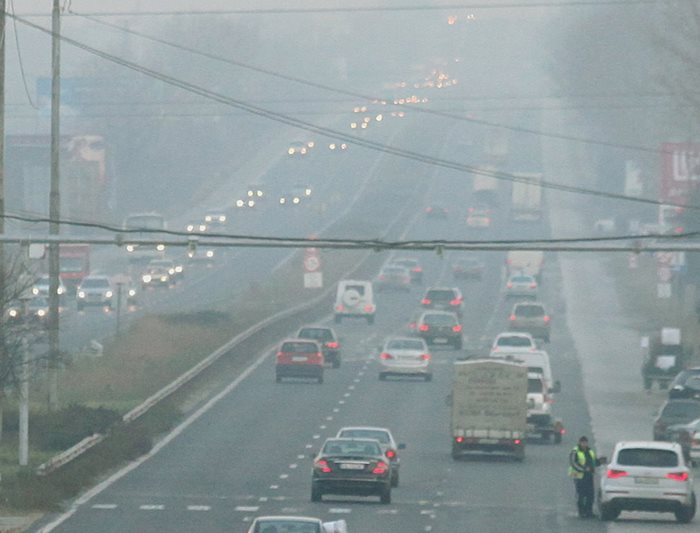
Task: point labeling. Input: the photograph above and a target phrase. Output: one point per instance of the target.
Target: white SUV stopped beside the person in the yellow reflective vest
(647, 476)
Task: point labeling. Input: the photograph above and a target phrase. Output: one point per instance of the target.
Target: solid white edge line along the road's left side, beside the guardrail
(97, 489)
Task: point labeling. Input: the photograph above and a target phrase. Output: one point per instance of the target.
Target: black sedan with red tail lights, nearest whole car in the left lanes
(351, 466)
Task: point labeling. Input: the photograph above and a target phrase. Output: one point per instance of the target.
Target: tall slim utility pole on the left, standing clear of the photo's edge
(54, 206)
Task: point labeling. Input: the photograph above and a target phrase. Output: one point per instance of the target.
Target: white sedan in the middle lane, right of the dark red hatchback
(405, 356)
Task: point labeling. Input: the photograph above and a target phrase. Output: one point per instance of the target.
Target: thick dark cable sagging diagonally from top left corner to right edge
(338, 135)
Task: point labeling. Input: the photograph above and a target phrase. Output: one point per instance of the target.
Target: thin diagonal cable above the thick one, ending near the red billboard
(366, 97)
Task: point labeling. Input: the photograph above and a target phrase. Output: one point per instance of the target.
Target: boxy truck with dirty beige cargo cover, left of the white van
(489, 408)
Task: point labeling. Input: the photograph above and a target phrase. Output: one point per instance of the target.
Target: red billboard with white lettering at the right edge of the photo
(680, 172)
